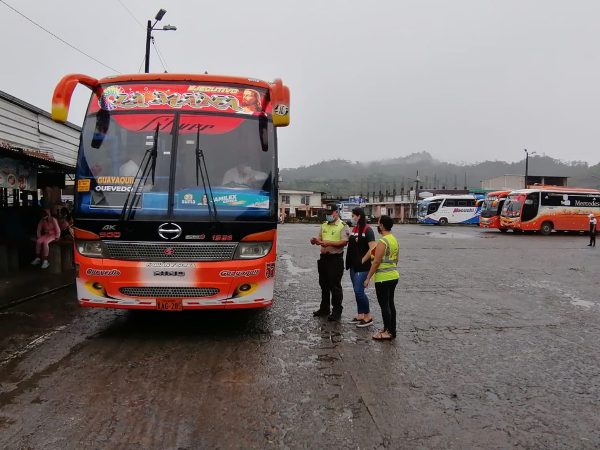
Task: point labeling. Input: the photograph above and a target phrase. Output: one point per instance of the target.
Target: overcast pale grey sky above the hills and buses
(466, 80)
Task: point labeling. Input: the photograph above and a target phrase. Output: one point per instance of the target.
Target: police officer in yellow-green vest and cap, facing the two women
(333, 237)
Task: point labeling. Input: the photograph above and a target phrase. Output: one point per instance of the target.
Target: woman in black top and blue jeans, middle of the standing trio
(358, 262)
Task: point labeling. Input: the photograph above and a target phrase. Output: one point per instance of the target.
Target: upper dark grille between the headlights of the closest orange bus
(162, 251)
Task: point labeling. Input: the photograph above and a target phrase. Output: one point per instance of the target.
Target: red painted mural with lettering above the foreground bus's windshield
(243, 100)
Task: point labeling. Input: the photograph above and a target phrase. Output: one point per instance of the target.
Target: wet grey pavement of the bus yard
(498, 347)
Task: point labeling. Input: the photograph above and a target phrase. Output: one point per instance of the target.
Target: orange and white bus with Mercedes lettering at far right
(550, 208)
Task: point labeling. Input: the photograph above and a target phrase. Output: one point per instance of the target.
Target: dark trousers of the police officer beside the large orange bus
(331, 270)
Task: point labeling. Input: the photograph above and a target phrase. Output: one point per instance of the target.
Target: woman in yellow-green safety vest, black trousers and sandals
(385, 274)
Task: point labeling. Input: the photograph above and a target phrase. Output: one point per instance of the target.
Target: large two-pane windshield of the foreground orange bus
(174, 163)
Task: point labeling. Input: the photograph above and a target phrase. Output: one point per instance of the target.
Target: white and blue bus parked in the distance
(445, 209)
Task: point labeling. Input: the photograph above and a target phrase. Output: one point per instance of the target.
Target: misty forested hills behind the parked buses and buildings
(342, 177)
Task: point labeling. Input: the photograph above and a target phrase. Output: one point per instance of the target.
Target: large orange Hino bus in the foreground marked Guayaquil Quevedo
(176, 190)
